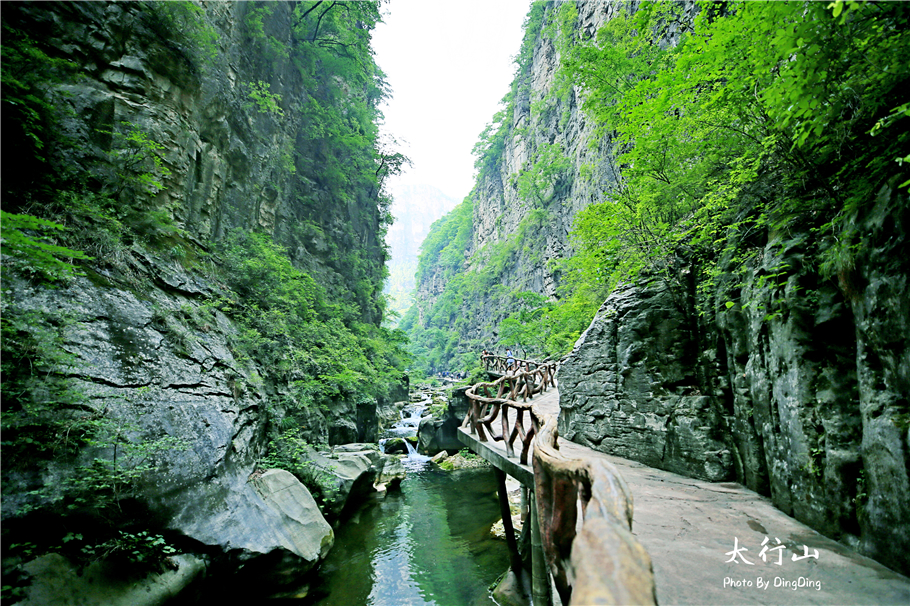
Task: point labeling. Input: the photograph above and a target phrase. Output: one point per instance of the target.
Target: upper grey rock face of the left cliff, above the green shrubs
(231, 165)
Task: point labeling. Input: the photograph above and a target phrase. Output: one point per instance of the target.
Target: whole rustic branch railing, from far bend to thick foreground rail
(595, 559)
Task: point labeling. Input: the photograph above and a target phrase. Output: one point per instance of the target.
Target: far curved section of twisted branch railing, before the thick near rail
(486, 408)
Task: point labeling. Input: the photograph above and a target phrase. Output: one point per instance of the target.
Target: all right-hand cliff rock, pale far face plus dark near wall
(764, 375)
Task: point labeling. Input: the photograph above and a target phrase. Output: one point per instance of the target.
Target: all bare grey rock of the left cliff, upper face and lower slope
(131, 332)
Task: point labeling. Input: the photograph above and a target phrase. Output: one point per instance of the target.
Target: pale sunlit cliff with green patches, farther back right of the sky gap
(540, 161)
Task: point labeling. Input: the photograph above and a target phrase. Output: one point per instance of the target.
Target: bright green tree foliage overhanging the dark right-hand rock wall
(702, 123)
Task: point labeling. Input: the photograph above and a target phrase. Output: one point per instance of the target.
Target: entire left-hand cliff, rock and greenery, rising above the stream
(190, 122)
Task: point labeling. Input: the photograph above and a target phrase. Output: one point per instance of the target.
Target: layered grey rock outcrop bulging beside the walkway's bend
(631, 388)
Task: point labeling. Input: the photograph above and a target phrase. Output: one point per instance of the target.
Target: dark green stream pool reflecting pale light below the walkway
(428, 543)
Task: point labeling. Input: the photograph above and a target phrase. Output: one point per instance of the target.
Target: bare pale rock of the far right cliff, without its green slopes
(499, 210)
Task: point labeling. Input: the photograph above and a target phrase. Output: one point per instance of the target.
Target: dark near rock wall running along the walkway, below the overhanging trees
(799, 391)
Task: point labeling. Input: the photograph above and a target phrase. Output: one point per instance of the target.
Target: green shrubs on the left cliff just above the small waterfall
(303, 338)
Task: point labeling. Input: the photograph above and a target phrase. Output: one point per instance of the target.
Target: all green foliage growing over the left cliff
(322, 342)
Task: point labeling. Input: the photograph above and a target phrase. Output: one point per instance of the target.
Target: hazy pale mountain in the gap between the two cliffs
(415, 208)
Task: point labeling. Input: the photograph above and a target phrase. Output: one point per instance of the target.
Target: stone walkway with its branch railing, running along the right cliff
(706, 543)
